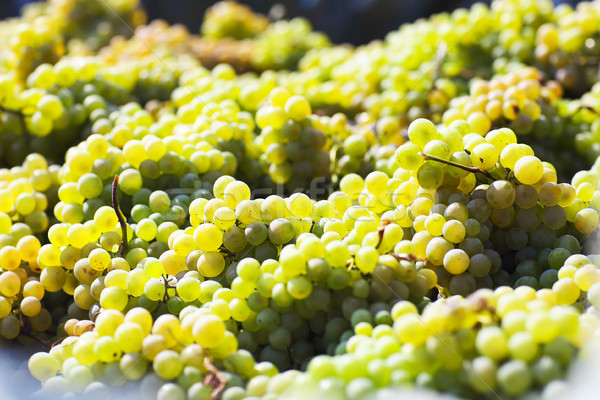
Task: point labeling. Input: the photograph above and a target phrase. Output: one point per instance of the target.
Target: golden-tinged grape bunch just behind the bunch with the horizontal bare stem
(531, 107)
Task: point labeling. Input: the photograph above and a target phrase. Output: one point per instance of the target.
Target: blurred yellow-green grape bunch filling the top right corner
(561, 41)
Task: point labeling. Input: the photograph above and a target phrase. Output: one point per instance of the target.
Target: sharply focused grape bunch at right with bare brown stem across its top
(522, 213)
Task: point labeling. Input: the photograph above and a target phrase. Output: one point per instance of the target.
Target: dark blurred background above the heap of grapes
(353, 21)
